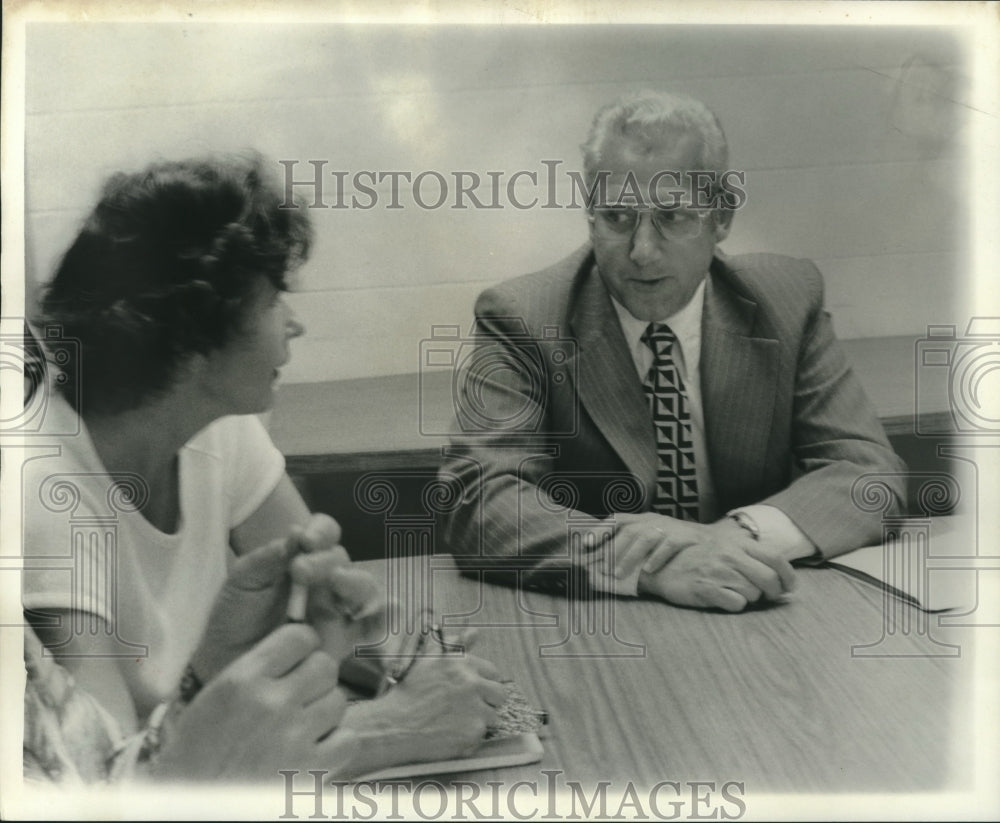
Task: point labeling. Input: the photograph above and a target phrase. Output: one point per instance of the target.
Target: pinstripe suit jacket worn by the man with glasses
(553, 430)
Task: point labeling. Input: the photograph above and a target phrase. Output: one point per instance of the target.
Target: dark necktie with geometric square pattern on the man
(676, 482)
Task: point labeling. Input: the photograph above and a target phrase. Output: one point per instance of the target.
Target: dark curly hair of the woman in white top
(162, 270)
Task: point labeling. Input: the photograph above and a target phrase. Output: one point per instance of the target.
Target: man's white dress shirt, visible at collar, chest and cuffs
(777, 531)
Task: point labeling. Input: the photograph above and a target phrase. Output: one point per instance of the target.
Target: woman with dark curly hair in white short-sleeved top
(174, 289)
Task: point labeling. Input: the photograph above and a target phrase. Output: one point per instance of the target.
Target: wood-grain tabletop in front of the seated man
(793, 697)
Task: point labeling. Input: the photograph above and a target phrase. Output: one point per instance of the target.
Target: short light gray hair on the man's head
(648, 117)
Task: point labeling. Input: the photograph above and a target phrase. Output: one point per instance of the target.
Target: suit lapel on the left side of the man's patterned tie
(608, 386)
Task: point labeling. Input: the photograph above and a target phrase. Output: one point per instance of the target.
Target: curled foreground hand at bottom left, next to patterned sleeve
(273, 708)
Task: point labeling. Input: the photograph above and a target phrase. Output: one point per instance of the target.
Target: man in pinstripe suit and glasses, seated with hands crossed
(651, 415)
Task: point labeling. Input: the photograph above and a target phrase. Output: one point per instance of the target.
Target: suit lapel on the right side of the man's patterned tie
(738, 376)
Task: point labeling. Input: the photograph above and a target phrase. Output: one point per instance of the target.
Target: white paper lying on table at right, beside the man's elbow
(943, 584)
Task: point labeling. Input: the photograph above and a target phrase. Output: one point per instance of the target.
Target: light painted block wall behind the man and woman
(850, 159)
